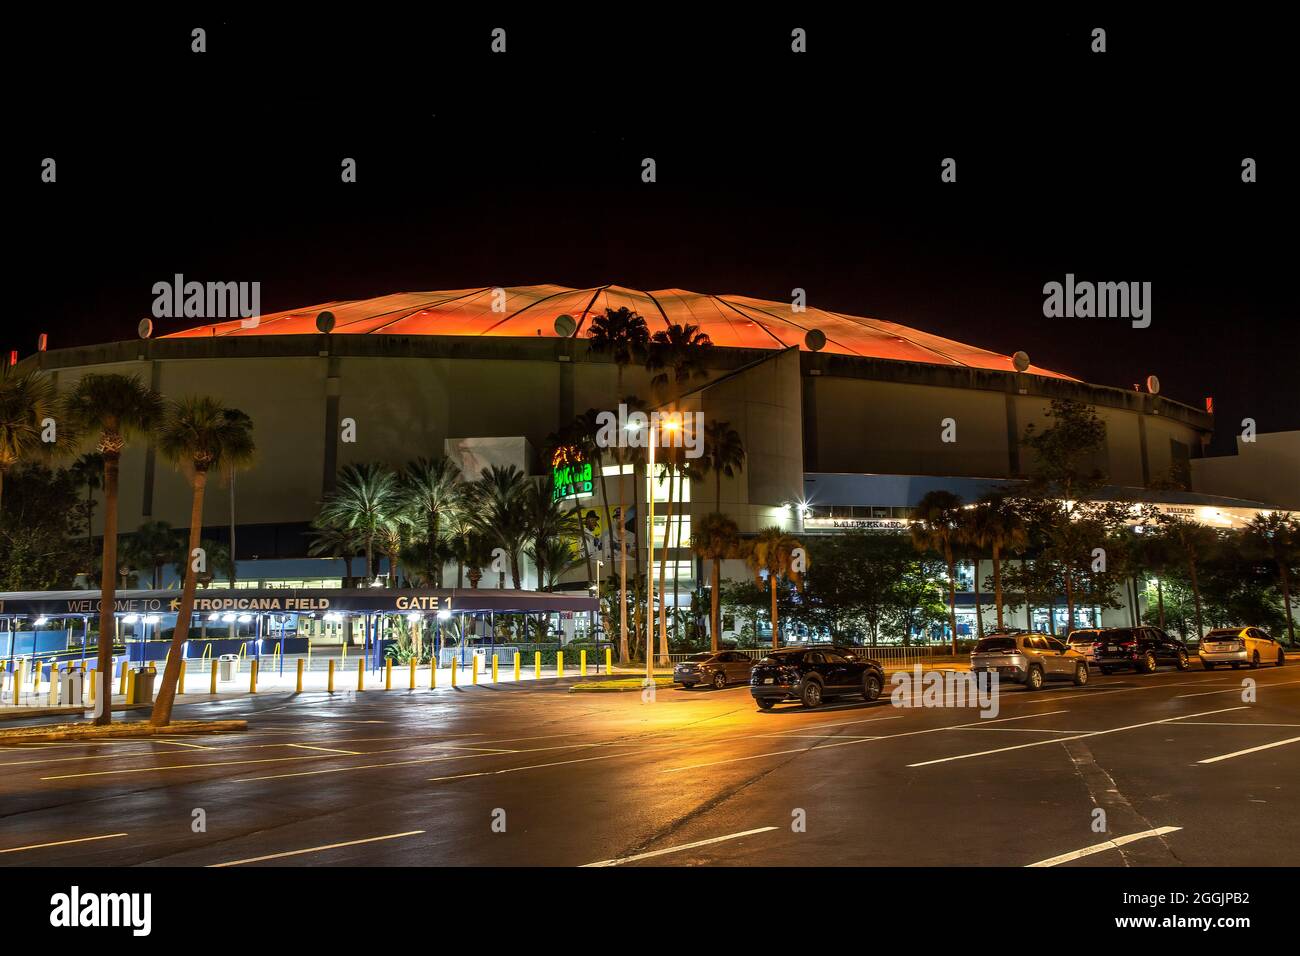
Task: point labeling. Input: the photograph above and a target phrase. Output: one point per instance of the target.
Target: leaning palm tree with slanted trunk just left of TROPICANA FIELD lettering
(198, 436)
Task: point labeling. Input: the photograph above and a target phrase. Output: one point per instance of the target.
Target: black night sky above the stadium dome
(774, 171)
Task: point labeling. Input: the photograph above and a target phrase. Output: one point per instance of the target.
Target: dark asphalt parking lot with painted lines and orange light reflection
(535, 776)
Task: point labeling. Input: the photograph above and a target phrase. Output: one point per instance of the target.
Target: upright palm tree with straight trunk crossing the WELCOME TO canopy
(115, 409)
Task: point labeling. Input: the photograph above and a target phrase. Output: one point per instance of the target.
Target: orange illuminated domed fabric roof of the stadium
(735, 322)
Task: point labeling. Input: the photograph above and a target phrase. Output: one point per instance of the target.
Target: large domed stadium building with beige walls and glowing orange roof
(850, 435)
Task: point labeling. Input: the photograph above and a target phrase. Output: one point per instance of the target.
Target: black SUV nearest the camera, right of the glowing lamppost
(812, 676)
